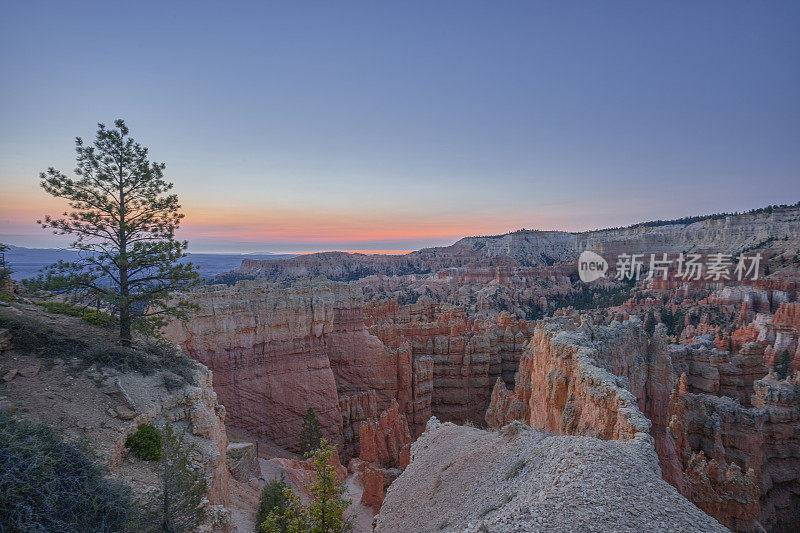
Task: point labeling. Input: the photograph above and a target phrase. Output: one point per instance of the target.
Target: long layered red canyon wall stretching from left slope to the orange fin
(277, 350)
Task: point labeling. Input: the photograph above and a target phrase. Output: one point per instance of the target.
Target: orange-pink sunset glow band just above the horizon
(21, 207)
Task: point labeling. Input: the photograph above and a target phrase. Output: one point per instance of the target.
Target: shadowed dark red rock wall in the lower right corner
(737, 436)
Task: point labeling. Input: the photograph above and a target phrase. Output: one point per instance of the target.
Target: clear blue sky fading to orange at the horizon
(307, 126)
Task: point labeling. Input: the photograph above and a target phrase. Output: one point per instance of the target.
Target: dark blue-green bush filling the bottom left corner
(50, 484)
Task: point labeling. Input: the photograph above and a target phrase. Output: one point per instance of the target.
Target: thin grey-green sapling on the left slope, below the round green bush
(178, 506)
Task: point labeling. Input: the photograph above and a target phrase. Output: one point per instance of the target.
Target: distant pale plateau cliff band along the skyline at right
(724, 234)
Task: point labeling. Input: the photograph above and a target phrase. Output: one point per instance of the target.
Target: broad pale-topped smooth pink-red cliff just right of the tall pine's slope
(277, 350)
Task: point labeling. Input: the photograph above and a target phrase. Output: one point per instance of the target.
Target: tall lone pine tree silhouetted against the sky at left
(124, 221)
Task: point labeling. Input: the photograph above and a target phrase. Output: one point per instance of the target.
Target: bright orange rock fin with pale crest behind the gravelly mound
(563, 388)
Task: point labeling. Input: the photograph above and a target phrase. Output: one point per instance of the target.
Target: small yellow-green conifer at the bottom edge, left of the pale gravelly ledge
(327, 509)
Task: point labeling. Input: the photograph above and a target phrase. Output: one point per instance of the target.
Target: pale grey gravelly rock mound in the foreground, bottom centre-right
(519, 479)
